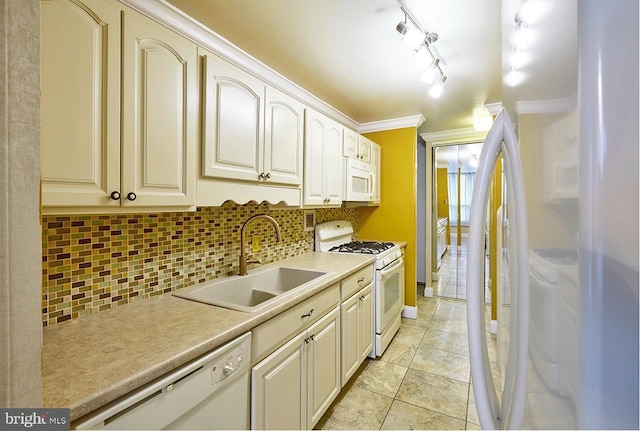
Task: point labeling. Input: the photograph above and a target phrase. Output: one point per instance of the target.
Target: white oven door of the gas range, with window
(389, 294)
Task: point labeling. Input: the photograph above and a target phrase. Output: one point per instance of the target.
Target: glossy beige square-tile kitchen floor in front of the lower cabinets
(422, 381)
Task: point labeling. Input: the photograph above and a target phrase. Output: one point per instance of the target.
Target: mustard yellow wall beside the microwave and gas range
(395, 218)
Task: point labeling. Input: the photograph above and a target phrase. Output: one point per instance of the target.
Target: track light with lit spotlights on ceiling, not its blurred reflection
(420, 41)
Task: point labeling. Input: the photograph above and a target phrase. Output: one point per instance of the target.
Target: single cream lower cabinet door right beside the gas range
(357, 331)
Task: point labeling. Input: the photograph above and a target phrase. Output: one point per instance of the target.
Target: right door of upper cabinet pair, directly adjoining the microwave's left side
(333, 166)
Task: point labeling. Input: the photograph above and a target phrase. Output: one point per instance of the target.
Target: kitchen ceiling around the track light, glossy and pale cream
(349, 54)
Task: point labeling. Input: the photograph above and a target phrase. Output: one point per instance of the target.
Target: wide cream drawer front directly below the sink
(273, 333)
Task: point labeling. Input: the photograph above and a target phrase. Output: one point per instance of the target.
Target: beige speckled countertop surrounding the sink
(91, 361)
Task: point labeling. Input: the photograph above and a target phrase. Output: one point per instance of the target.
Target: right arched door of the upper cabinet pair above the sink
(284, 132)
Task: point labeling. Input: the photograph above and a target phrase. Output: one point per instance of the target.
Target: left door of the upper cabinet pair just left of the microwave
(315, 134)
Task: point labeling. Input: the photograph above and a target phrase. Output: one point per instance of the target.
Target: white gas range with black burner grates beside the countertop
(336, 237)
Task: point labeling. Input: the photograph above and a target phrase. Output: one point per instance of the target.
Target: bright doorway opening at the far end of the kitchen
(454, 168)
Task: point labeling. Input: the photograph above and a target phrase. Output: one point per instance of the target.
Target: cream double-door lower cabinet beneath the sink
(294, 386)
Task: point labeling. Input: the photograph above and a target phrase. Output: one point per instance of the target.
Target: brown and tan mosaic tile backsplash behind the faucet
(93, 263)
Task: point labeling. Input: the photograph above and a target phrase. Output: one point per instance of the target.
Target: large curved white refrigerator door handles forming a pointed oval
(501, 139)
